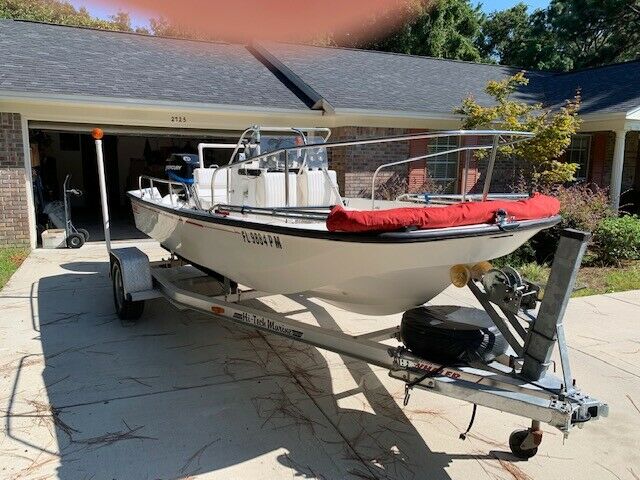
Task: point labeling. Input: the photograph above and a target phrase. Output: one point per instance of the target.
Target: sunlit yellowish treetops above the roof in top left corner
(61, 12)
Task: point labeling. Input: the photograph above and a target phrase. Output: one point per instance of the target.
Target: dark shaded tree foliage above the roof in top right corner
(569, 34)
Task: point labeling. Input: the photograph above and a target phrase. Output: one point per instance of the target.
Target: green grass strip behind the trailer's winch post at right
(592, 280)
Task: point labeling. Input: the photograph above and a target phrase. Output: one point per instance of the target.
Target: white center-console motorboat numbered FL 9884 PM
(243, 221)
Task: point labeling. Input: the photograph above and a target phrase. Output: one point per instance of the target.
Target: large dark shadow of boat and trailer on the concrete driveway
(180, 394)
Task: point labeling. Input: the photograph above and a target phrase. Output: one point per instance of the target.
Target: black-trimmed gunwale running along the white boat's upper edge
(412, 236)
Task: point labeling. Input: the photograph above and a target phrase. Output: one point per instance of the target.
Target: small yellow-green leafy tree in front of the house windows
(538, 157)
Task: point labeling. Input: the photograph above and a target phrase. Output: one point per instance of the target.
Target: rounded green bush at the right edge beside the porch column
(617, 240)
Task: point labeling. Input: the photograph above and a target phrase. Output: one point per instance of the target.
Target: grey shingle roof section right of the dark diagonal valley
(369, 80)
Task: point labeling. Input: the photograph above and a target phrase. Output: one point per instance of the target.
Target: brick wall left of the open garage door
(14, 219)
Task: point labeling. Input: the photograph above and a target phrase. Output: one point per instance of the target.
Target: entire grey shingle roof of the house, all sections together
(56, 59)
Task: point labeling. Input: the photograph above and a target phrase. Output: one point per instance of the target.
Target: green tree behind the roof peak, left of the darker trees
(444, 29)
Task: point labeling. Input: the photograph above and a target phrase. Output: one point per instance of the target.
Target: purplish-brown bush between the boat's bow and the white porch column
(582, 207)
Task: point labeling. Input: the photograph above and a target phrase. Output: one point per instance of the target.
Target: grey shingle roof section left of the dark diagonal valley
(56, 59)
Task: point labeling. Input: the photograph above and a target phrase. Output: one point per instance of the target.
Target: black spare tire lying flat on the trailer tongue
(429, 333)
